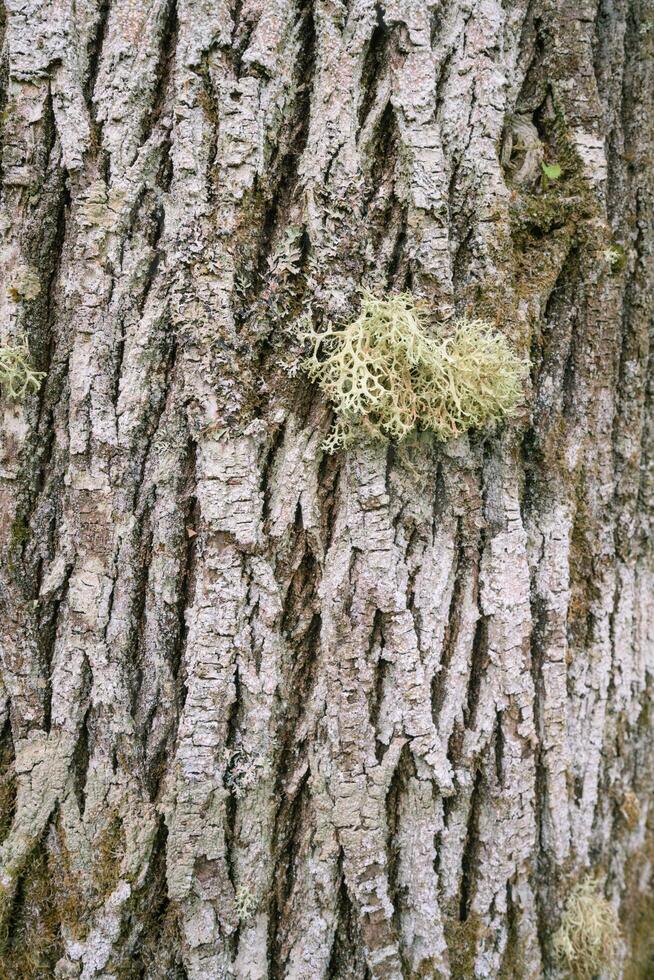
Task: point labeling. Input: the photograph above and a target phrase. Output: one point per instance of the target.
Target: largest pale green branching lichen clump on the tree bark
(387, 374)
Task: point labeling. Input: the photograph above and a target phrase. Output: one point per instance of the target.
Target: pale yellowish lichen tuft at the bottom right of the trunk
(588, 937)
